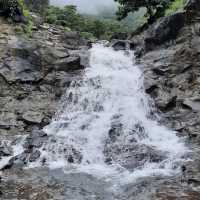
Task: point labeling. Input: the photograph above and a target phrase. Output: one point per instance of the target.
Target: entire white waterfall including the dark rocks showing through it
(105, 127)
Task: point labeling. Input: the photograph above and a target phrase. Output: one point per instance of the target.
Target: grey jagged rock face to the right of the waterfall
(170, 55)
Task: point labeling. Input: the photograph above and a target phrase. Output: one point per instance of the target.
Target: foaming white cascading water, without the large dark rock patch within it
(112, 85)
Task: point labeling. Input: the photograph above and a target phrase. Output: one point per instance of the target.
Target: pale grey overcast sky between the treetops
(89, 6)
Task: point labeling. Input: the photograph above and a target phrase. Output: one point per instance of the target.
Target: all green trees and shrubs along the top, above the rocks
(104, 25)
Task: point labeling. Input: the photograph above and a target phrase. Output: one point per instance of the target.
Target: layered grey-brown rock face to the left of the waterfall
(34, 74)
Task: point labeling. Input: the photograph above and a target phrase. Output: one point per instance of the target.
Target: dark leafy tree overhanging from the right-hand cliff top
(155, 8)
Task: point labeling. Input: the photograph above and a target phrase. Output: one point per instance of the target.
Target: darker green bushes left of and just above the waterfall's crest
(89, 26)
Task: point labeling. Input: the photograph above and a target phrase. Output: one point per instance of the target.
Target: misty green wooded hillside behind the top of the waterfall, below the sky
(103, 25)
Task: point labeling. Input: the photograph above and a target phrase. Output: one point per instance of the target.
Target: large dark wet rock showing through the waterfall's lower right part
(122, 147)
